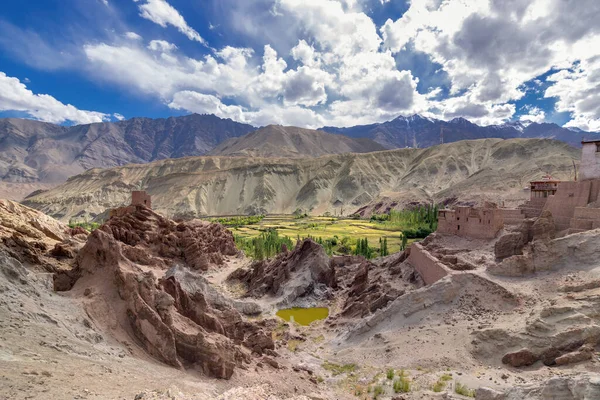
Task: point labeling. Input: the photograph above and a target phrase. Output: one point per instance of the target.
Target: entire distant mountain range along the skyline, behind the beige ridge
(37, 155)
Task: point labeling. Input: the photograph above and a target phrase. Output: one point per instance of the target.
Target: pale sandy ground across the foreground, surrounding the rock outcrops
(49, 349)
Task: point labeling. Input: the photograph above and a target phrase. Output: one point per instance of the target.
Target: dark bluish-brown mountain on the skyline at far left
(33, 152)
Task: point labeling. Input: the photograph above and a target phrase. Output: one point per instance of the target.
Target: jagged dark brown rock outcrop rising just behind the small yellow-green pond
(304, 271)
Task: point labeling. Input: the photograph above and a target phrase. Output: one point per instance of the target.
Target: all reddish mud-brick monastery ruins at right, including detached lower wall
(572, 206)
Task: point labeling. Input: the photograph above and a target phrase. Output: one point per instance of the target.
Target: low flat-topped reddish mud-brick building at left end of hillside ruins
(478, 223)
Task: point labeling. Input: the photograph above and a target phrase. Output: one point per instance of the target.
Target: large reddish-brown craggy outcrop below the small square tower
(144, 264)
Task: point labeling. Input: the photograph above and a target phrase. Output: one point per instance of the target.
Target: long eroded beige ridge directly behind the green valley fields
(491, 169)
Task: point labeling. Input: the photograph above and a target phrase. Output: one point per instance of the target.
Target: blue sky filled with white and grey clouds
(302, 62)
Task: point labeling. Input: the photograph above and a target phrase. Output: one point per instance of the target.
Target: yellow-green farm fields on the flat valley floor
(325, 228)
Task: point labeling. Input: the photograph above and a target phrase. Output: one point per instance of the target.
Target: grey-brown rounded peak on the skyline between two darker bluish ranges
(290, 141)
